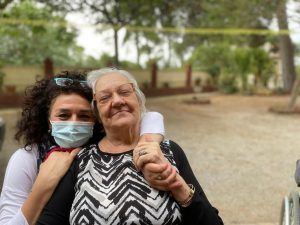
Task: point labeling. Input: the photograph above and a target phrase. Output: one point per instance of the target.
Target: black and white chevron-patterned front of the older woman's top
(109, 190)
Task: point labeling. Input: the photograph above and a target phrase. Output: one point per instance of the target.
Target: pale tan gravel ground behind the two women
(243, 156)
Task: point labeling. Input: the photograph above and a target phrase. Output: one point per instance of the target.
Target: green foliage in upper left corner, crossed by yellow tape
(31, 44)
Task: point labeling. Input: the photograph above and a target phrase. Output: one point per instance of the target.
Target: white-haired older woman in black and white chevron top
(119, 182)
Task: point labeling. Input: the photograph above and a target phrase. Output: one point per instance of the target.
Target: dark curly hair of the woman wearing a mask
(33, 126)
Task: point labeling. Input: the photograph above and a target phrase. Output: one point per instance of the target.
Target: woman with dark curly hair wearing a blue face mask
(56, 118)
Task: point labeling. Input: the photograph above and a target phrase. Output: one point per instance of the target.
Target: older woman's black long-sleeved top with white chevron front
(109, 190)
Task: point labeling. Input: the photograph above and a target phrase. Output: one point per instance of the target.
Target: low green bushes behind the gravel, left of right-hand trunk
(228, 65)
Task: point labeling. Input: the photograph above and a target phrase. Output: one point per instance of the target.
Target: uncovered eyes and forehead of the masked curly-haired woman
(70, 107)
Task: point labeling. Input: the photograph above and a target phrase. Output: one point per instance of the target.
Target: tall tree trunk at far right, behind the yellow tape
(286, 48)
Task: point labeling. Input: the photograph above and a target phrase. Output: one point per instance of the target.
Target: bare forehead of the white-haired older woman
(110, 81)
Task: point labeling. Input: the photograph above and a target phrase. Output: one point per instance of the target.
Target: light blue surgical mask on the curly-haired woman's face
(71, 134)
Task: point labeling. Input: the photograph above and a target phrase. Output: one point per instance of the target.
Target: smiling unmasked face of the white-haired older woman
(117, 102)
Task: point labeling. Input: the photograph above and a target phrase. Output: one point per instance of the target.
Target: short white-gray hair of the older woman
(93, 77)
